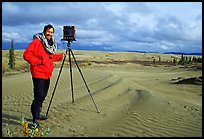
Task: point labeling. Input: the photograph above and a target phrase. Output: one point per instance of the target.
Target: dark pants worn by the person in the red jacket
(40, 87)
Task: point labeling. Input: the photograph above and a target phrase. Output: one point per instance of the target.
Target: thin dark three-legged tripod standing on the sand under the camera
(71, 53)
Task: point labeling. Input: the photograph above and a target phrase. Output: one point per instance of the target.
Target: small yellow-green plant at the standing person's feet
(31, 130)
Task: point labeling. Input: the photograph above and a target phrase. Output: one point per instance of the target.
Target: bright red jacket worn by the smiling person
(41, 62)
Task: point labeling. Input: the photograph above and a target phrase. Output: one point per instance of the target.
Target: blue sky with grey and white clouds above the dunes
(108, 26)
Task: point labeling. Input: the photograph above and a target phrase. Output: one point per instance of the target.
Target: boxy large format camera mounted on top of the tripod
(69, 33)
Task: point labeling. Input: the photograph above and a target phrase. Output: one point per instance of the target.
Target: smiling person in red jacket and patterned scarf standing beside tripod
(40, 55)
